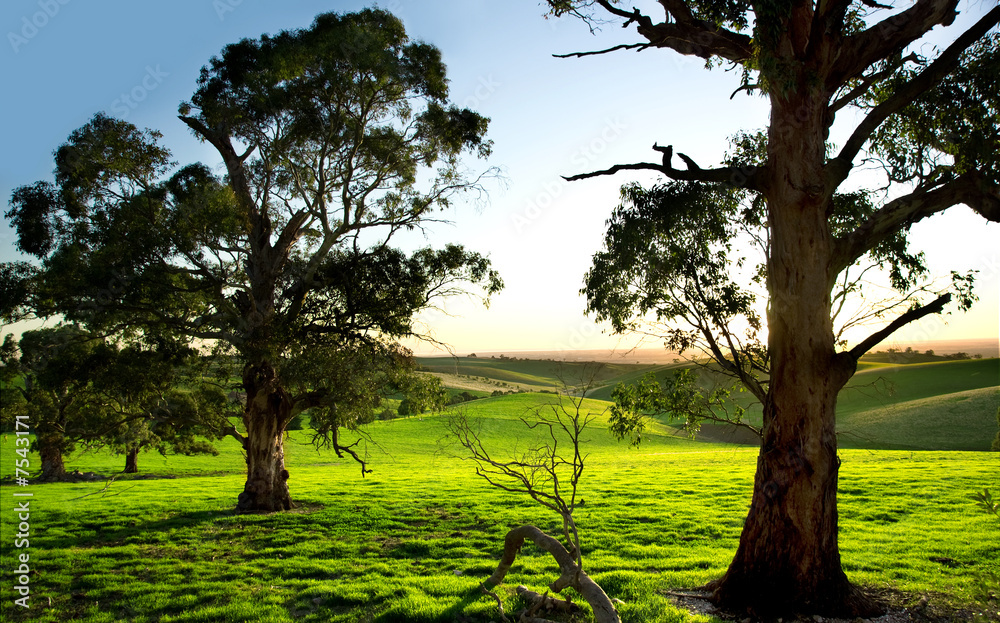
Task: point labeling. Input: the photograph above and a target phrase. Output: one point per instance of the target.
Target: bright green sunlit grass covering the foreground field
(412, 541)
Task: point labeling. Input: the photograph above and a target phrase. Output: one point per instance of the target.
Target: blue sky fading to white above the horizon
(64, 60)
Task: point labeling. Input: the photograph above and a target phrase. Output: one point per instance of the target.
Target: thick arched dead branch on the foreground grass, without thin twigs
(571, 576)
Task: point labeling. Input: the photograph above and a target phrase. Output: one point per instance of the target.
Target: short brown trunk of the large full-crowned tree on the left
(266, 415)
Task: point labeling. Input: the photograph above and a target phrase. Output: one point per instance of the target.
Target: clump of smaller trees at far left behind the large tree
(76, 388)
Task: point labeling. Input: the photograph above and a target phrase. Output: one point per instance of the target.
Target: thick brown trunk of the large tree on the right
(788, 560)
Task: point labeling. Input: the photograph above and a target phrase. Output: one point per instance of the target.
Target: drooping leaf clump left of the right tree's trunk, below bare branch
(667, 253)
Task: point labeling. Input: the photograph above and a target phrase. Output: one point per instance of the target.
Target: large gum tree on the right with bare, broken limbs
(929, 116)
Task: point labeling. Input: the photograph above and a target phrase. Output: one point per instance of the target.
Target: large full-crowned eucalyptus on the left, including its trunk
(334, 139)
